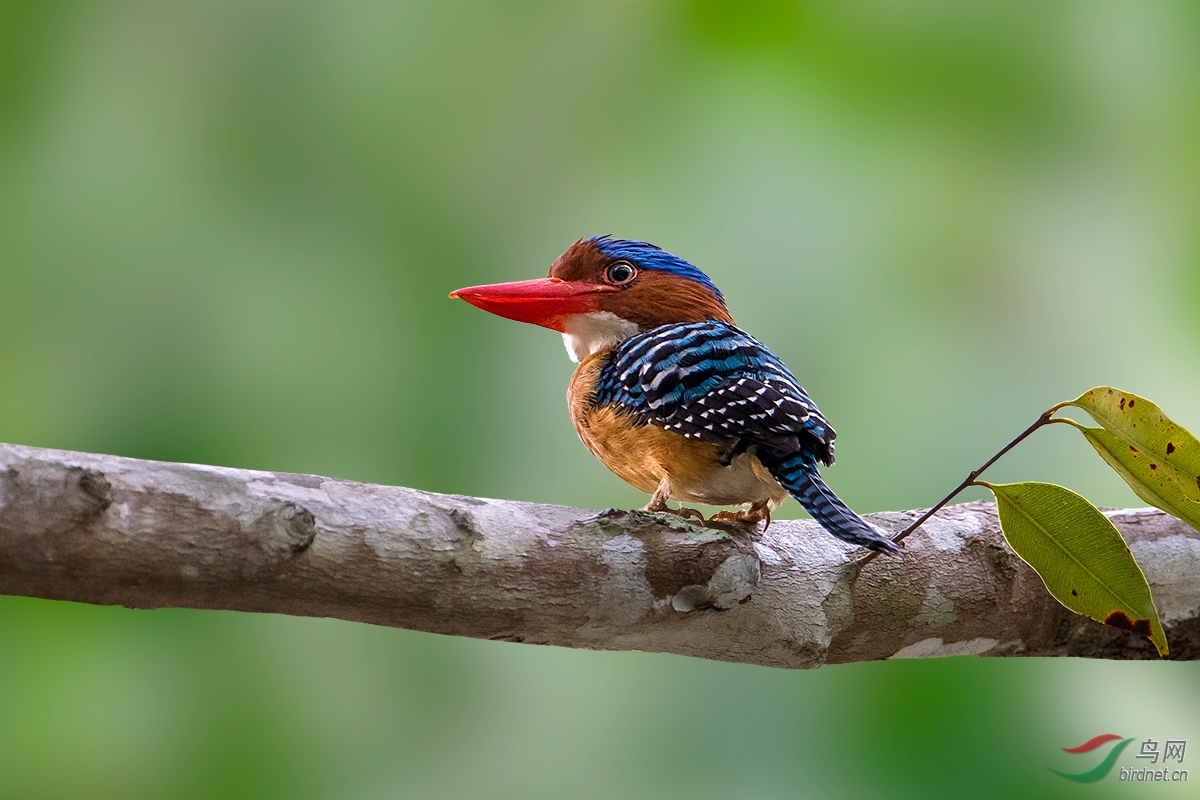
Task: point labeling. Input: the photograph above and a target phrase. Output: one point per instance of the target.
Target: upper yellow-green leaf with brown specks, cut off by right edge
(1157, 459)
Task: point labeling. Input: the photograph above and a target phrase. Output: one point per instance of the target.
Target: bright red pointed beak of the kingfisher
(544, 302)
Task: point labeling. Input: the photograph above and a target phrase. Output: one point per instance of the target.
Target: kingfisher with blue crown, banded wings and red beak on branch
(671, 395)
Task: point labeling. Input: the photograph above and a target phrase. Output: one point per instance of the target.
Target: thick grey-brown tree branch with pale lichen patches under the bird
(110, 531)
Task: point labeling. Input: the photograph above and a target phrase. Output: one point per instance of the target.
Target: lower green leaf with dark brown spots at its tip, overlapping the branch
(1081, 556)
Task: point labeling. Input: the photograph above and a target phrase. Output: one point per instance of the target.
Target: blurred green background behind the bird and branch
(227, 233)
